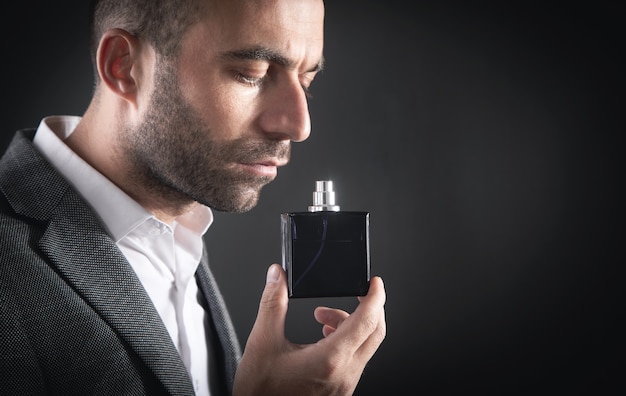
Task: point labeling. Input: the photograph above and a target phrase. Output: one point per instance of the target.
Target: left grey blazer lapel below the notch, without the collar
(91, 262)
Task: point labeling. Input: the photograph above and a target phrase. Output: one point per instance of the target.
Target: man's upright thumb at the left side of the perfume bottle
(270, 321)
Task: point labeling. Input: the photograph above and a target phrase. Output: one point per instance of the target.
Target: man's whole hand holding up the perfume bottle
(272, 365)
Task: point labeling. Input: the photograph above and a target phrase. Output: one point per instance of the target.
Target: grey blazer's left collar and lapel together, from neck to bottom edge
(88, 259)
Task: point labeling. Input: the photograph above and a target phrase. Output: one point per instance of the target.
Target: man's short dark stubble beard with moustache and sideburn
(173, 154)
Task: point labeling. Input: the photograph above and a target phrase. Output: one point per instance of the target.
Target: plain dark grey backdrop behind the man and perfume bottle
(484, 142)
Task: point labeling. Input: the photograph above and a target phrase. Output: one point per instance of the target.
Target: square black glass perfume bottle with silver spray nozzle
(326, 251)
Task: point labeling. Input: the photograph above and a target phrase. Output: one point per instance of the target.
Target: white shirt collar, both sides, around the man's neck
(119, 213)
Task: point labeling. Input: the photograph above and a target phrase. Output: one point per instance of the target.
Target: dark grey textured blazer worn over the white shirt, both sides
(74, 317)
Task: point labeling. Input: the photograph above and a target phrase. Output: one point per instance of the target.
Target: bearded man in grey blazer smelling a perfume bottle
(104, 282)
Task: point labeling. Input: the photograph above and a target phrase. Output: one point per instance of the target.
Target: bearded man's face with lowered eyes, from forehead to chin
(221, 119)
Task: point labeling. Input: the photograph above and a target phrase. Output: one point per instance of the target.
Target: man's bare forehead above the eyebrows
(293, 28)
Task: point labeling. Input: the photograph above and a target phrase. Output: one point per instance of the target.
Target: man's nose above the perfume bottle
(286, 111)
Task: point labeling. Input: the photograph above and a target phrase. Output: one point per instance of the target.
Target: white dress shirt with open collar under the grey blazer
(164, 256)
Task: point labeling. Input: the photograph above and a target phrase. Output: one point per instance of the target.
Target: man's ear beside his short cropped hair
(119, 63)
